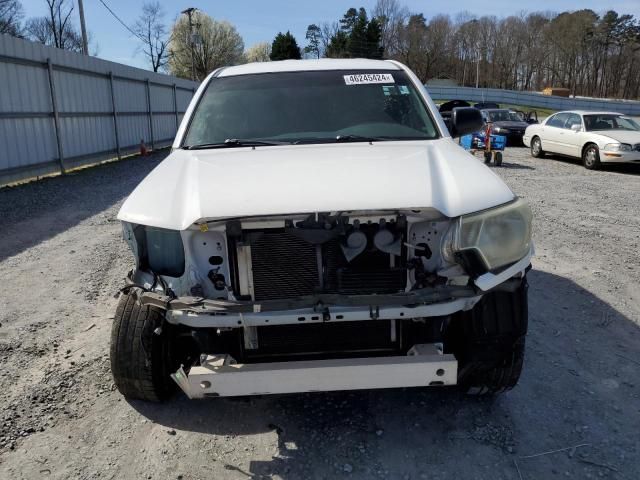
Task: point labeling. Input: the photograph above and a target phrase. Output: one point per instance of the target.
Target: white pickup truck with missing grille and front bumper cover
(316, 228)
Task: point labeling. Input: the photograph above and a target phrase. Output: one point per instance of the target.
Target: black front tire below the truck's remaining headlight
(489, 342)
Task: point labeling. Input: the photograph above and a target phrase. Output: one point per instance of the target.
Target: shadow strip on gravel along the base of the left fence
(36, 211)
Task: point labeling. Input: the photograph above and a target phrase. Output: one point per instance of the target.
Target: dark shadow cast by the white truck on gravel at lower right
(579, 386)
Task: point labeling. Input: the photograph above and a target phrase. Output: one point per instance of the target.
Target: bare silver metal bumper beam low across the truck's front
(218, 376)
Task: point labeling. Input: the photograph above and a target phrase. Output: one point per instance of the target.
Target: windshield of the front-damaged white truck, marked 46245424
(310, 107)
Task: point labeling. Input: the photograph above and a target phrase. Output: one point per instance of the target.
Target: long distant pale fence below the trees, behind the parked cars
(531, 99)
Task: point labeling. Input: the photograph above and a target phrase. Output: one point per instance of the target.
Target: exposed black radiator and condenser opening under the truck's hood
(326, 253)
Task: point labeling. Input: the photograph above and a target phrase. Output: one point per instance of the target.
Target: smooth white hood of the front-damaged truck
(193, 185)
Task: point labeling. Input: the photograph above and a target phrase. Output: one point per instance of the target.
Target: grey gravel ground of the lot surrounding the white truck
(575, 413)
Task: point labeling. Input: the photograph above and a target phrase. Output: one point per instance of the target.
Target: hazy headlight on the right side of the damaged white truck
(499, 236)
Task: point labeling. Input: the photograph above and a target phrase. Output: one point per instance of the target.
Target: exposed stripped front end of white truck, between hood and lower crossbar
(303, 267)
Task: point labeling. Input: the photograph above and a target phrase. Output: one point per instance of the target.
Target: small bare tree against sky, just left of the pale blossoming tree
(152, 32)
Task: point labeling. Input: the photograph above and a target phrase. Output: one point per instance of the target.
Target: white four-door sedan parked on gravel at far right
(595, 137)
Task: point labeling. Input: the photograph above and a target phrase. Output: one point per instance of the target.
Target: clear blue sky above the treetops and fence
(260, 20)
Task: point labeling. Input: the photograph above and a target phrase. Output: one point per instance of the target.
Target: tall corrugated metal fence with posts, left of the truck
(60, 110)
